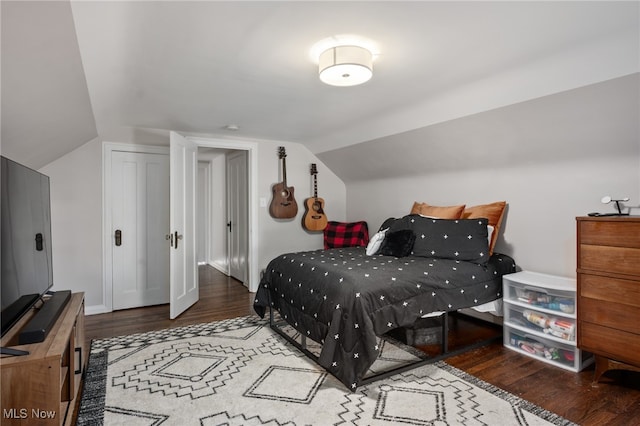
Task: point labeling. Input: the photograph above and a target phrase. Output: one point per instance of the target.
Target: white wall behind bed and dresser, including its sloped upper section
(551, 159)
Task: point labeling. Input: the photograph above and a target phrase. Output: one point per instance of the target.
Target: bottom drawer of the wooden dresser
(615, 344)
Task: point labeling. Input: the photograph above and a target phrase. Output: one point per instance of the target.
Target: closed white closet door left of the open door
(140, 218)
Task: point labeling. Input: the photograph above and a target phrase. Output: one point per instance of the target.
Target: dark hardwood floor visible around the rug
(613, 401)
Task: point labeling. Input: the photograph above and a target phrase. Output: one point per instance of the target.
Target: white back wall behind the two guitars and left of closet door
(76, 202)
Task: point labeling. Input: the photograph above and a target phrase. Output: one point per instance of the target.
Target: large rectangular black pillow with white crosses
(458, 239)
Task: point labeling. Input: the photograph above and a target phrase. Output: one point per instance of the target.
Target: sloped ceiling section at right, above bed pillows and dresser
(554, 128)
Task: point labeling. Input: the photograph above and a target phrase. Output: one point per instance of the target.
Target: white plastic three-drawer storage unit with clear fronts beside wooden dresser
(540, 319)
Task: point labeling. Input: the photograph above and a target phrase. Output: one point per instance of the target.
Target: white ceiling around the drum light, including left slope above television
(199, 66)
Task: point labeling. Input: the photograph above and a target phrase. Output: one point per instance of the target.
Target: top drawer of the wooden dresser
(609, 233)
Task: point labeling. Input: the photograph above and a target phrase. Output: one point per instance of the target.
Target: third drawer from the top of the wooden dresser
(617, 291)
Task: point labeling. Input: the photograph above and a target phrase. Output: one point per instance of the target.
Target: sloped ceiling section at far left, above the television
(46, 111)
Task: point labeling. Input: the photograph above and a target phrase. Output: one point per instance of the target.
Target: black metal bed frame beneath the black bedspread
(444, 347)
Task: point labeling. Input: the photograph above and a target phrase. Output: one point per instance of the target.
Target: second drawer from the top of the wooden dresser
(615, 260)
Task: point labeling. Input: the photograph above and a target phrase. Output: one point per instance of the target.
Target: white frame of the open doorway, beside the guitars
(252, 160)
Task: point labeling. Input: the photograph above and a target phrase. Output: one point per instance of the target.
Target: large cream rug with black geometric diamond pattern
(240, 372)
